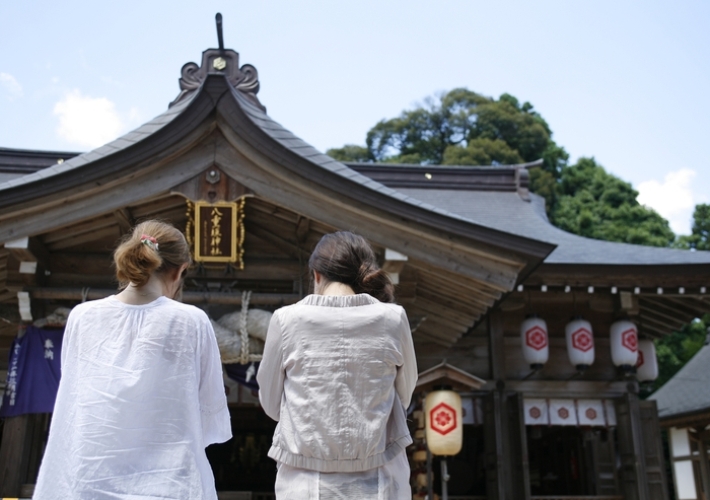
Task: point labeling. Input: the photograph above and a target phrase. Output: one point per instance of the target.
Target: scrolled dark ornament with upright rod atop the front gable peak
(219, 61)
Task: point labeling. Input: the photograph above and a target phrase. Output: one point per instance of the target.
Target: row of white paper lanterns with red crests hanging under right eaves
(627, 351)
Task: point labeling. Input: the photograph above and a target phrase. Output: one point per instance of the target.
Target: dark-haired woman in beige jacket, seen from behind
(337, 374)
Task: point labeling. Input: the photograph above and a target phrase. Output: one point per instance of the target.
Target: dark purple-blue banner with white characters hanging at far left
(33, 372)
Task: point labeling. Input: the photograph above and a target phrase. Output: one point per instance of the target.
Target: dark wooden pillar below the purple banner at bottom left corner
(14, 454)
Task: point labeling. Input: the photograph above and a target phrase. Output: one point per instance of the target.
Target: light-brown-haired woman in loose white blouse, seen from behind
(141, 393)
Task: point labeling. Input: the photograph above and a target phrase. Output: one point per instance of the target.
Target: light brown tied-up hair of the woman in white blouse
(152, 247)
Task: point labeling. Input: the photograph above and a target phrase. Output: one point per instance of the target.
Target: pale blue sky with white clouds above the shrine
(625, 82)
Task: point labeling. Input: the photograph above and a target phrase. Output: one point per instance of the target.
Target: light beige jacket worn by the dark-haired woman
(337, 374)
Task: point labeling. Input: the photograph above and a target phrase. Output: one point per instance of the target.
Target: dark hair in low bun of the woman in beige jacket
(348, 258)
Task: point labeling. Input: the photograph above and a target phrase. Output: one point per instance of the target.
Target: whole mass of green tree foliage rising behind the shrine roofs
(462, 127)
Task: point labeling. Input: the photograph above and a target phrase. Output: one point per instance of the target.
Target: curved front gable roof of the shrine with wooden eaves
(218, 124)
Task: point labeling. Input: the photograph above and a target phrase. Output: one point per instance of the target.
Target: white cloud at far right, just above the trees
(673, 198)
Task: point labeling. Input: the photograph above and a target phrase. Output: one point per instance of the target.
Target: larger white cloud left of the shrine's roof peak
(87, 121)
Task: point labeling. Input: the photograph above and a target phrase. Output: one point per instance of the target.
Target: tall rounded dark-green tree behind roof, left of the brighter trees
(460, 127)
